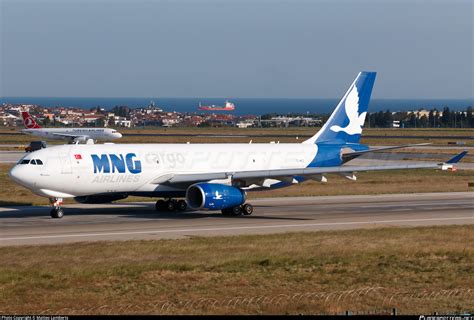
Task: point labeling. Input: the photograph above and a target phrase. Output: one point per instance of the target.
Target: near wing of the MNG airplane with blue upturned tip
(189, 178)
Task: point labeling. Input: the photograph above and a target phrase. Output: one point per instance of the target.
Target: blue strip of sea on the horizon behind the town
(243, 106)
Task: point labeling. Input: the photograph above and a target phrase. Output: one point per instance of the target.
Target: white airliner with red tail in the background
(69, 134)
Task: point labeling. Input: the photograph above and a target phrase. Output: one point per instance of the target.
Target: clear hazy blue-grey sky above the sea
(230, 48)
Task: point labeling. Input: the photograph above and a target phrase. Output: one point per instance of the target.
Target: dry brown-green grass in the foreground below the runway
(416, 270)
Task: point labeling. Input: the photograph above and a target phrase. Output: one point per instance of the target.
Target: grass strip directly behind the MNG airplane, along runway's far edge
(395, 181)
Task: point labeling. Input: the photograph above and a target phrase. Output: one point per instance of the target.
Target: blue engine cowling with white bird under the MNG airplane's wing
(213, 196)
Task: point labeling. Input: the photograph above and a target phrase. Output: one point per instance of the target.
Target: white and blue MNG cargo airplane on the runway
(207, 176)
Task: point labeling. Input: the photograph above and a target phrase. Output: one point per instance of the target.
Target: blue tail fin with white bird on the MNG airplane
(345, 123)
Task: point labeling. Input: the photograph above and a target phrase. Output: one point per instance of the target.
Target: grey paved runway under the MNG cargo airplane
(125, 221)
